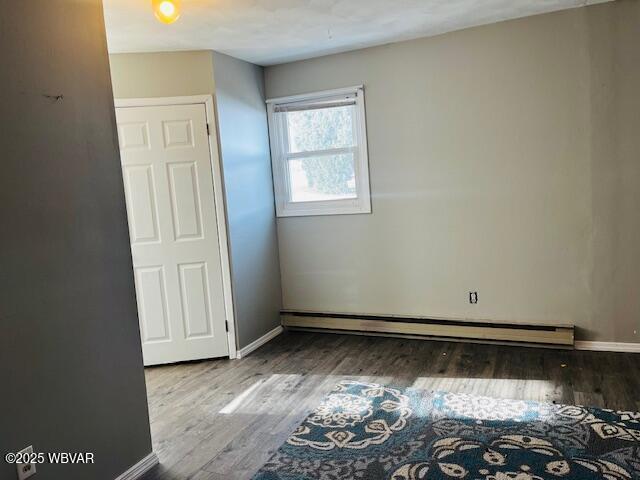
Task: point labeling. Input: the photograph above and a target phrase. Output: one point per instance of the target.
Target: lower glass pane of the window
(326, 177)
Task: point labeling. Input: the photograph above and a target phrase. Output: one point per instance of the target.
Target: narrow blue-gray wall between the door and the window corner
(246, 160)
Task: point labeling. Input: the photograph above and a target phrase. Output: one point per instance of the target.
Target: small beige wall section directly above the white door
(163, 74)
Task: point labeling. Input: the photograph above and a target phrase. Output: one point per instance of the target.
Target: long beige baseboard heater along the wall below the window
(432, 328)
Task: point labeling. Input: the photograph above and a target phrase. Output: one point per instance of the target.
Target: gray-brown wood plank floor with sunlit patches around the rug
(222, 419)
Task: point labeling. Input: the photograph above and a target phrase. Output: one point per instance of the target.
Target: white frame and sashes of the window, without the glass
(279, 154)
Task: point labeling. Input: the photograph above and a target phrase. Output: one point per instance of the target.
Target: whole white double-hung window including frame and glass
(320, 164)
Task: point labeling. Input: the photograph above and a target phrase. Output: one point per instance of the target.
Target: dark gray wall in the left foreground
(72, 376)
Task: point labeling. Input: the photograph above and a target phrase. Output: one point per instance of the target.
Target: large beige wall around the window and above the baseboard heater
(494, 167)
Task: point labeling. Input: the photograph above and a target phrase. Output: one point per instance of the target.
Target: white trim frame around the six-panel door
(216, 168)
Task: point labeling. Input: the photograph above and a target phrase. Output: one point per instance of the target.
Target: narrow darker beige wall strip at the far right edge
(614, 37)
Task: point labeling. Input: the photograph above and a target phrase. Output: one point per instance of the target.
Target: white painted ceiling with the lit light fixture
(268, 32)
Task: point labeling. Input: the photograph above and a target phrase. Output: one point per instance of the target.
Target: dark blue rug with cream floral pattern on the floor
(370, 432)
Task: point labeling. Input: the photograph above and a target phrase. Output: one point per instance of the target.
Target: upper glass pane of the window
(320, 129)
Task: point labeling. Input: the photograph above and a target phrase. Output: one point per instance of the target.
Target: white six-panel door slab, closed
(171, 208)
